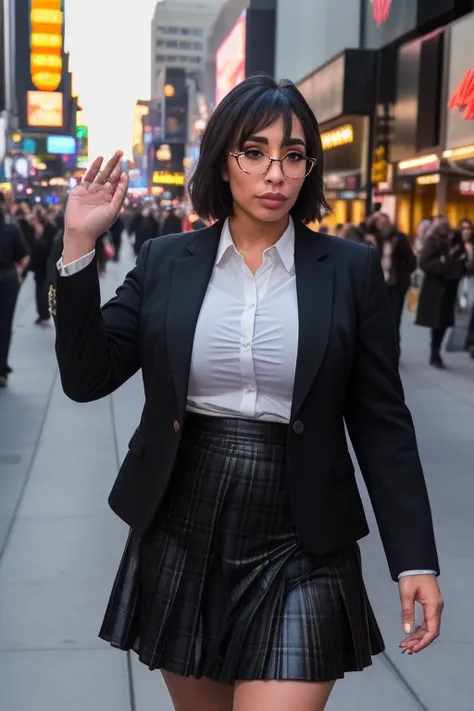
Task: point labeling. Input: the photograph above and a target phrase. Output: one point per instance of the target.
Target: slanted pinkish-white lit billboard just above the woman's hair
(230, 59)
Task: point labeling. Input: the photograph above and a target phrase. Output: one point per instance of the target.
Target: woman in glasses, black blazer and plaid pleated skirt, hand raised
(241, 579)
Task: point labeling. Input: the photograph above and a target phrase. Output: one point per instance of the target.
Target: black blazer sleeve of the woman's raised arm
(97, 348)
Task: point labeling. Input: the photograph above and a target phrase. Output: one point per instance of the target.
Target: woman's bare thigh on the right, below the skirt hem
(281, 695)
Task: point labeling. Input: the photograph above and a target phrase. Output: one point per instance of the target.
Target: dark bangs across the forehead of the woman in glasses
(267, 108)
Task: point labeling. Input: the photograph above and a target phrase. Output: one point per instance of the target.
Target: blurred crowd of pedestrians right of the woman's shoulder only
(435, 270)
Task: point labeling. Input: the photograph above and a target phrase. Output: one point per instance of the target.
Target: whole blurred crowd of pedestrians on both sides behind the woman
(431, 274)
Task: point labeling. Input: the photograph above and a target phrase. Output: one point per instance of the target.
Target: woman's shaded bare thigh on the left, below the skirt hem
(190, 694)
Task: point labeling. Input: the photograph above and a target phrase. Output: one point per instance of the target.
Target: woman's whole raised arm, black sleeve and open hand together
(97, 349)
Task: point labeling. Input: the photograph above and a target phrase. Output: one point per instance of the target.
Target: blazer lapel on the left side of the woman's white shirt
(189, 281)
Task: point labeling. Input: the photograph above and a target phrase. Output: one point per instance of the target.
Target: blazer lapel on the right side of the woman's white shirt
(315, 294)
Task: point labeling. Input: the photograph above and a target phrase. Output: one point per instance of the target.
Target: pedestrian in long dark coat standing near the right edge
(443, 260)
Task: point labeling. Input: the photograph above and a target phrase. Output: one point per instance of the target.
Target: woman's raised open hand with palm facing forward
(95, 204)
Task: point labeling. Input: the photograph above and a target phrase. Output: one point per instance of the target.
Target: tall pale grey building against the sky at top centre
(178, 38)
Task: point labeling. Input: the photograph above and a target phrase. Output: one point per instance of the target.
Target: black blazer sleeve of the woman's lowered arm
(382, 432)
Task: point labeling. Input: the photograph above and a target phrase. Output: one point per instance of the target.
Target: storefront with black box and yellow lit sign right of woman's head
(341, 96)
